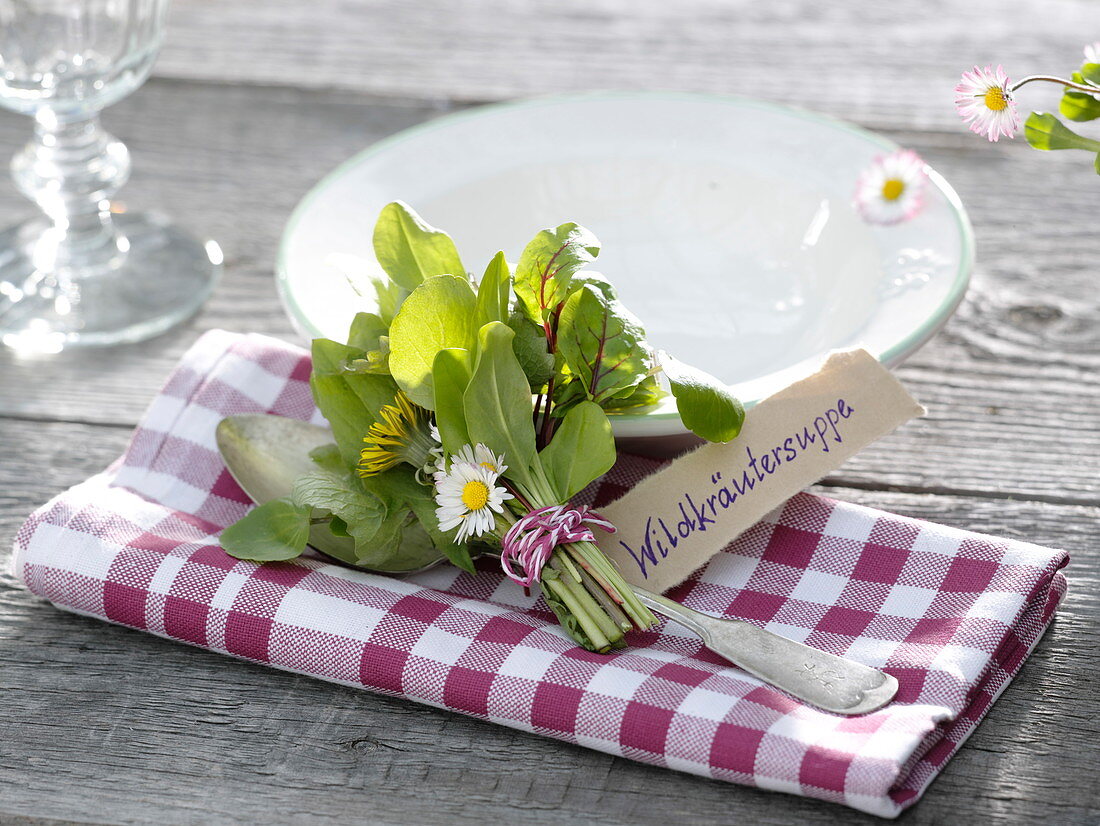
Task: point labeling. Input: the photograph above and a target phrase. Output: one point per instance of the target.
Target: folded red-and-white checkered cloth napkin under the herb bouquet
(951, 614)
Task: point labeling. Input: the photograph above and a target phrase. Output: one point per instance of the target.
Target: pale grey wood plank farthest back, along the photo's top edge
(888, 64)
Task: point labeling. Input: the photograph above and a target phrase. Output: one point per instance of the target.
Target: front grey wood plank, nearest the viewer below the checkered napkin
(104, 722)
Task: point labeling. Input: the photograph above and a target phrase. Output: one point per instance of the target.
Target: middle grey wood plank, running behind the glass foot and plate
(1011, 384)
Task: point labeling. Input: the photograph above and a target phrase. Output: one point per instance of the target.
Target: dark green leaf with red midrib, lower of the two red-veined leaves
(603, 345)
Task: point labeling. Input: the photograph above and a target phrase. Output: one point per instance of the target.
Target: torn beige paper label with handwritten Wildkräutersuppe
(675, 521)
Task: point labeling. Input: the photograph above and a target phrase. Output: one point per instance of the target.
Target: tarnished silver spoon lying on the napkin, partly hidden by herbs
(267, 454)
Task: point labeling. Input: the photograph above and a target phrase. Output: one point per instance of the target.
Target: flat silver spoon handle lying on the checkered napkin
(823, 680)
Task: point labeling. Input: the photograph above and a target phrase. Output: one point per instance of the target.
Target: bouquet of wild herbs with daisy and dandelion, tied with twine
(466, 416)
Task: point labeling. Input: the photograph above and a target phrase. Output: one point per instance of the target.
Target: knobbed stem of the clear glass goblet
(71, 170)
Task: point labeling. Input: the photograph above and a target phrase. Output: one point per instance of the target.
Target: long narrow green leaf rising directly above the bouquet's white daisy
(499, 404)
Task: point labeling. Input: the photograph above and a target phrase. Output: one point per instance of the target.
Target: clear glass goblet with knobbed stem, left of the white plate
(83, 273)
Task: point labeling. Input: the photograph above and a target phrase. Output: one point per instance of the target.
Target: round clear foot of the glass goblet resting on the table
(156, 277)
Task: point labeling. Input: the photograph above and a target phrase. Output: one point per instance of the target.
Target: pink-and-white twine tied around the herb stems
(530, 543)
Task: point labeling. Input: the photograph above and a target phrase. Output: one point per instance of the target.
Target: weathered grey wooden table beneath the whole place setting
(255, 100)
